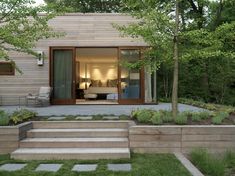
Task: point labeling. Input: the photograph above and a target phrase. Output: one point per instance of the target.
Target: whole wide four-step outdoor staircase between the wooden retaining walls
(83, 140)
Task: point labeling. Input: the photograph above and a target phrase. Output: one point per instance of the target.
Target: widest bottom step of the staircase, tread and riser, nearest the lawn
(70, 153)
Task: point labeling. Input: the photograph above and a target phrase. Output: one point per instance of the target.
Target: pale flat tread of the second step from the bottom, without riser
(75, 140)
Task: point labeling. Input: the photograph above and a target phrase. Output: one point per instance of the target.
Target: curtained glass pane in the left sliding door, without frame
(63, 74)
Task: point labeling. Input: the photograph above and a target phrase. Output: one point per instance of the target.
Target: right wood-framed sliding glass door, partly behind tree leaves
(131, 83)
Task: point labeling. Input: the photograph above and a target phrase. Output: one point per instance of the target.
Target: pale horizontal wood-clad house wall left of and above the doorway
(82, 30)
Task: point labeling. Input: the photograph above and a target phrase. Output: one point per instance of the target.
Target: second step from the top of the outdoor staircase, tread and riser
(77, 133)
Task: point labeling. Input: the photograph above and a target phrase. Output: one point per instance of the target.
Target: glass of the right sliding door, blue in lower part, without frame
(130, 78)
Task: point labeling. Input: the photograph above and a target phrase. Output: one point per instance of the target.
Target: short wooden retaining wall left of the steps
(11, 135)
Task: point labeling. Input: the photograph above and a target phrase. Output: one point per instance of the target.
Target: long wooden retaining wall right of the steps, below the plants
(164, 139)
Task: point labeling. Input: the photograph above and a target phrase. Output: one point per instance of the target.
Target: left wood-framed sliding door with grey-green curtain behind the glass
(62, 76)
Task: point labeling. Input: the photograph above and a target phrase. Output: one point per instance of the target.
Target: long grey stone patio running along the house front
(88, 110)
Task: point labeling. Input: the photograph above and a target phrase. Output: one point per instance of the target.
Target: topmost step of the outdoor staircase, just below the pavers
(80, 124)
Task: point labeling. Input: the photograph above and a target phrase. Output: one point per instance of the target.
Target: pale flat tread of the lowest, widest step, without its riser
(69, 150)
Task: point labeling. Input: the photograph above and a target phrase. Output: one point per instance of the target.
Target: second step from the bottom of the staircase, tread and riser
(74, 143)
